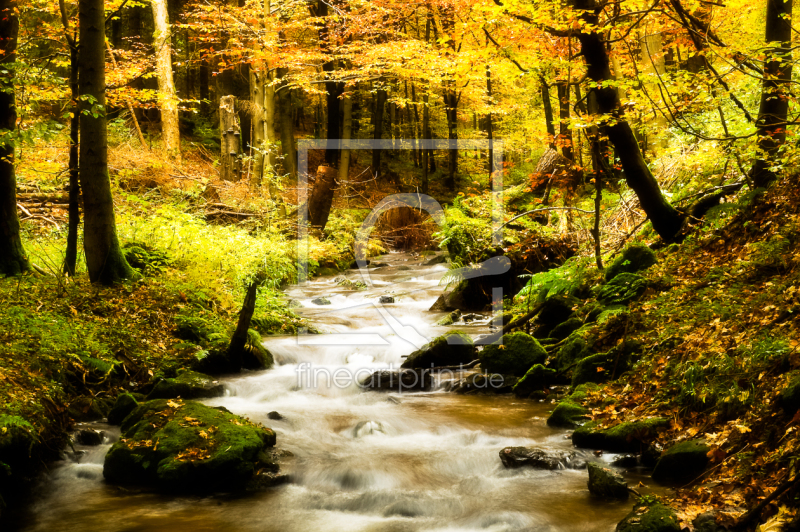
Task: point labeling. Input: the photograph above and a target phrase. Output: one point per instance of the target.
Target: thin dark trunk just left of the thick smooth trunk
(71, 255)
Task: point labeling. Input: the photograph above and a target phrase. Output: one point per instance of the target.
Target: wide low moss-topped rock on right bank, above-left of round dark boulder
(628, 437)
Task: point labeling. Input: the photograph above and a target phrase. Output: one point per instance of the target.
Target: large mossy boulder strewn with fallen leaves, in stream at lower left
(185, 446)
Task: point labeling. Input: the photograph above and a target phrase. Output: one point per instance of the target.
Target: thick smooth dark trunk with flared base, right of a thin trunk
(104, 258)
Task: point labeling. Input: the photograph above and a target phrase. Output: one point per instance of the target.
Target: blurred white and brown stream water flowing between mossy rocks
(363, 461)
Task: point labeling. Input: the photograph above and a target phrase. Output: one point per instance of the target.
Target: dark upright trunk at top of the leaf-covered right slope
(774, 108)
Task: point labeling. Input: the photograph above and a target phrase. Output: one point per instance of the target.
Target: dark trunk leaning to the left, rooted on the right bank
(666, 220)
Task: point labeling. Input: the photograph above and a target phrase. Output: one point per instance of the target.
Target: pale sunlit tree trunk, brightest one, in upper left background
(167, 98)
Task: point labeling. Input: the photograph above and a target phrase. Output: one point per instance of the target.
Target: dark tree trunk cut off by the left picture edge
(13, 259)
